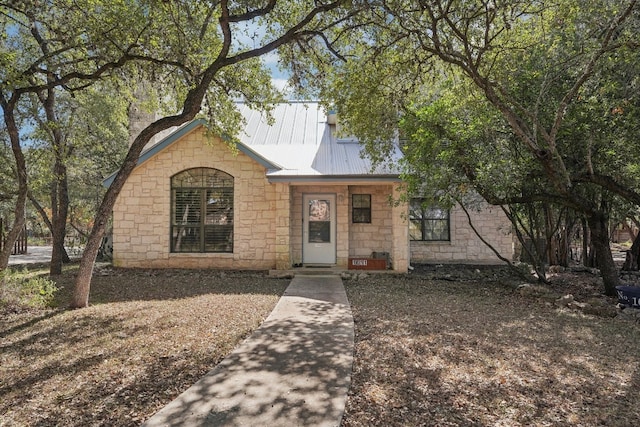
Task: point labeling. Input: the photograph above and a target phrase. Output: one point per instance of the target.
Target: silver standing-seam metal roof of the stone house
(299, 145)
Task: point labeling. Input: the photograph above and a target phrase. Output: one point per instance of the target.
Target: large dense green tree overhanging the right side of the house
(515, 75)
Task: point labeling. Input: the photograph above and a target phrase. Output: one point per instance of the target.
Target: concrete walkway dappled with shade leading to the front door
(295, 370)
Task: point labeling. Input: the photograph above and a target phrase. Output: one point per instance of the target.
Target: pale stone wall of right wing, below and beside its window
(465, 246)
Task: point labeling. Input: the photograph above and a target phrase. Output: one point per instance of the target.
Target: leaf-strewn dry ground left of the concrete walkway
(147, 337)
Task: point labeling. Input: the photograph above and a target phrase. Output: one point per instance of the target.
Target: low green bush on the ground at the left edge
(20, 290)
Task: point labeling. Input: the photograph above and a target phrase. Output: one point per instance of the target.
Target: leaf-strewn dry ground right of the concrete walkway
(477, 353)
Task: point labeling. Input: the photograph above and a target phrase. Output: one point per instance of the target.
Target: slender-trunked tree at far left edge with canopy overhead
(69, 45)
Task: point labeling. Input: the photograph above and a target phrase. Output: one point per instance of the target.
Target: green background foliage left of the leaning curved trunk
(94, 125)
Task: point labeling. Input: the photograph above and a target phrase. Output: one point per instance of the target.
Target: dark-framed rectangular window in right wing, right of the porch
(428, 223)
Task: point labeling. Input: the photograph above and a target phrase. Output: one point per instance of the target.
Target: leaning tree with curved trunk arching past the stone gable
(214, 68)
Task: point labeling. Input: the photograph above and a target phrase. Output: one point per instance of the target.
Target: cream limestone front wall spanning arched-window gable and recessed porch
(267, 216)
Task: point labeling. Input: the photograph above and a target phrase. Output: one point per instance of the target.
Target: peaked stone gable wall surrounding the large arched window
(142, 212)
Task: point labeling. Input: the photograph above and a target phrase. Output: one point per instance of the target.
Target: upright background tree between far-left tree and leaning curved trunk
(78, 136)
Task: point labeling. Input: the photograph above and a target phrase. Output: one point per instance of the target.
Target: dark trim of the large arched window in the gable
(224, 184)
